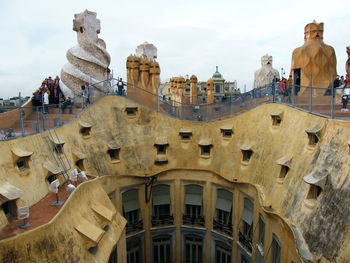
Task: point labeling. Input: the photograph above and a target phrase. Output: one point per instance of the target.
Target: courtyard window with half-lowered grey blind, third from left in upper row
(193, 205)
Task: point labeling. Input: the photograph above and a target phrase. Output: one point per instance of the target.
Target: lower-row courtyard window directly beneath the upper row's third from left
(193, 249)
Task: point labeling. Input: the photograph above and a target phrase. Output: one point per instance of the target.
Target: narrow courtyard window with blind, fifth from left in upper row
(246, 230)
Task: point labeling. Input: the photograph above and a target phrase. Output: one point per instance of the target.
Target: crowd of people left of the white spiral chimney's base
(48, 93)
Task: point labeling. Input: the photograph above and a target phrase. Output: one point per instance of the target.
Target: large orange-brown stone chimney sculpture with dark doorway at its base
(314, 58)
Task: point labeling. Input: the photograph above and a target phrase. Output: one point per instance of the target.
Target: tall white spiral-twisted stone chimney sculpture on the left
(88, 62)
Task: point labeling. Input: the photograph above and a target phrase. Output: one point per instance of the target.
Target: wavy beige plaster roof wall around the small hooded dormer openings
(324, 227)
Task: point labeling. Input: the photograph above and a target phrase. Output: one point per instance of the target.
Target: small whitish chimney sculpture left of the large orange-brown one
(266, 73)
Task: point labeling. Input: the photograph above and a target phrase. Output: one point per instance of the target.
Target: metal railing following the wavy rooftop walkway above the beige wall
(21, 121)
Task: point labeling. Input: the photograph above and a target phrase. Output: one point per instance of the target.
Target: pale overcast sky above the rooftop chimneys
(192, 36)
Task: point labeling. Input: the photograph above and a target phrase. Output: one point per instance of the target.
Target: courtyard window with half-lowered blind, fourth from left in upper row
(223, 217)
